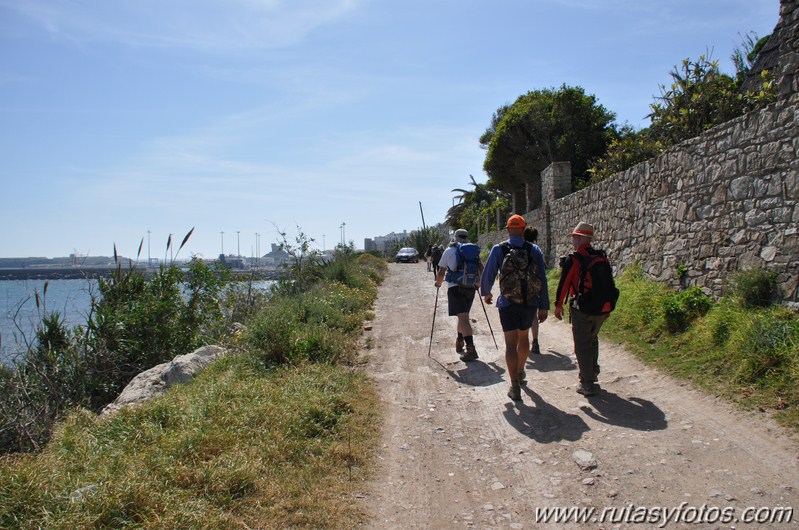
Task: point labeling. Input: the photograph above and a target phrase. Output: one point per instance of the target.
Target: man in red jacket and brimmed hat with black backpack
(586, 280)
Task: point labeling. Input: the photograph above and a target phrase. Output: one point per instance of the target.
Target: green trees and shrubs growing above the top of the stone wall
(567, 124)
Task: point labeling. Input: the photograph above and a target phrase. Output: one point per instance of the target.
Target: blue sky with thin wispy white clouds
(253, 116)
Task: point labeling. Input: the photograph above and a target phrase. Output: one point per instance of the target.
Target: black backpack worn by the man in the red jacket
(596, 293)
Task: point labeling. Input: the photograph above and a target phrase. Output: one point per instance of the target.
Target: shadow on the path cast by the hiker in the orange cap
(543, 422)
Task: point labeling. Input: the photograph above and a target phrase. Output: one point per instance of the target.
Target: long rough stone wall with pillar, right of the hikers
(724, 201)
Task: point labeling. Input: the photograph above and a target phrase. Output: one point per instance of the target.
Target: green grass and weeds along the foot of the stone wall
(743, 347)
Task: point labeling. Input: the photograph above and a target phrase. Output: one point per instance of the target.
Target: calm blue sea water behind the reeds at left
(19, 314)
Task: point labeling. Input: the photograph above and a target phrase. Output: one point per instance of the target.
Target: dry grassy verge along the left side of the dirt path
(278, 434)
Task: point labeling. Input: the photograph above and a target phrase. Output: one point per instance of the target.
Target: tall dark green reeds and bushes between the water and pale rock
(136, 323)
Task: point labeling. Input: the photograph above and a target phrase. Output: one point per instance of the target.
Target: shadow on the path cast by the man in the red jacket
(633, 413)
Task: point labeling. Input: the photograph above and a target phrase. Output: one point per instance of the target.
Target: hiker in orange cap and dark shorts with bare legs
(523, 296)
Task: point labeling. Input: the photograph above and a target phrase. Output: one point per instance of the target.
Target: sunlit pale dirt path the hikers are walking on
(457, 453)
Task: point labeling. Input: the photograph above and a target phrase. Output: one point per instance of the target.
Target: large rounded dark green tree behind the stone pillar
(545, 126)
